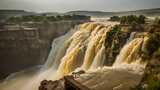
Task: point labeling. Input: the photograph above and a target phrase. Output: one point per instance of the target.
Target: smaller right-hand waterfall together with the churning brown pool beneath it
(126, 72)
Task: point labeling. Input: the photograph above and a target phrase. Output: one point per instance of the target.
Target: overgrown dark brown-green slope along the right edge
(151, 80)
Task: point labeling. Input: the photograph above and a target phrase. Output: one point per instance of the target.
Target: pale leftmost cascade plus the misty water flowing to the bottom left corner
(29, 79)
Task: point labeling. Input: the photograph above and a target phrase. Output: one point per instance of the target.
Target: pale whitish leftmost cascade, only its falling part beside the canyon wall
(59, 46)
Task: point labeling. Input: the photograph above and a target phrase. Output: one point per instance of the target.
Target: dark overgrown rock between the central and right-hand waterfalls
(115, 40)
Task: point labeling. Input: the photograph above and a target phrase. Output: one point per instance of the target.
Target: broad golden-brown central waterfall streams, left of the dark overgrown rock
(89, 40)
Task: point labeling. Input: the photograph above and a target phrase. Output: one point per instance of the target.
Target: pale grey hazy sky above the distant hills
(71, 5)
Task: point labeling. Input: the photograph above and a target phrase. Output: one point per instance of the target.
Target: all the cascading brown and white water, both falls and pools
(85, 50)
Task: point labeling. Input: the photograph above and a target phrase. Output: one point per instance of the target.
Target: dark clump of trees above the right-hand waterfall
(130, 19)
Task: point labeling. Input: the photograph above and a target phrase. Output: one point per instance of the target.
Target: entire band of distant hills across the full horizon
(147, 12)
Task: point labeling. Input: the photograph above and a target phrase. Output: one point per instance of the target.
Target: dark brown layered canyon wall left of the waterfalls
(24, 48)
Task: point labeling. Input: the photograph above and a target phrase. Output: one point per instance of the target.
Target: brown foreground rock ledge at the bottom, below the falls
(66, 83)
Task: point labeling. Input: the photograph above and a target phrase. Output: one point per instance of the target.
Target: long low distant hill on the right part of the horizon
(147, 12)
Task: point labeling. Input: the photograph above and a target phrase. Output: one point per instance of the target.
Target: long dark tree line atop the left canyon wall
(41, 18)
